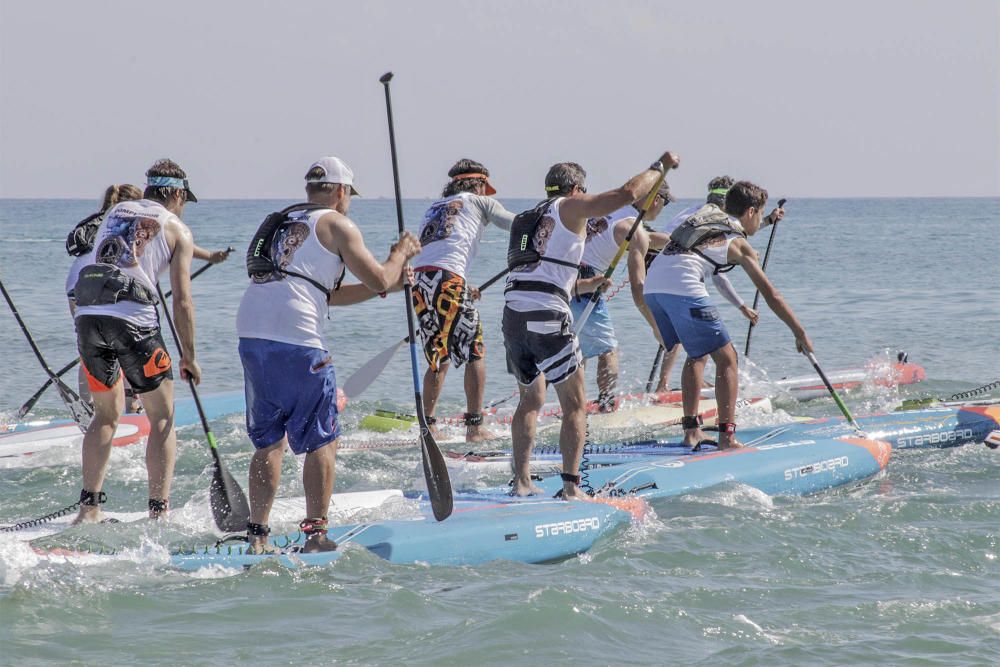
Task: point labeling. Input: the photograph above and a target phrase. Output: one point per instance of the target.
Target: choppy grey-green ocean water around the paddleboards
(902, 569)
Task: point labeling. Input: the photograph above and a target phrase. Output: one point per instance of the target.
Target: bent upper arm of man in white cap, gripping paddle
(340, 235)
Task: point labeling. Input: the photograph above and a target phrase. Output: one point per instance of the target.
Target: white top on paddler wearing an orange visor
(450, 234)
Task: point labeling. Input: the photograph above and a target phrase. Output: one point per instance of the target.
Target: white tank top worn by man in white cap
(285, 308)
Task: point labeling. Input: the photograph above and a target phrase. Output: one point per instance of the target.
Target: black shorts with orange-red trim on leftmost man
(108, 343)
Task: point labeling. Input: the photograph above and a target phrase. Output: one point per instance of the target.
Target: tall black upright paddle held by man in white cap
(435, 469)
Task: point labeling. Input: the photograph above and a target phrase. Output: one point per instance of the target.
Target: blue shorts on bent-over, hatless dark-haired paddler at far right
(691, 321)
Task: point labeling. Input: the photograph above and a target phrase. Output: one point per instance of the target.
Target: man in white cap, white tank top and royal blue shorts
(296, 262)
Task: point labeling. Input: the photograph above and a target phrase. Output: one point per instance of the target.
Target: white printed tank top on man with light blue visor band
(131, 237)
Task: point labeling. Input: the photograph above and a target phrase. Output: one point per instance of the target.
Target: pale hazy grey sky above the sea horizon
(855, 98)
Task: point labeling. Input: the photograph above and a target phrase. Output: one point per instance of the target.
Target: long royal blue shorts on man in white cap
(290, 390)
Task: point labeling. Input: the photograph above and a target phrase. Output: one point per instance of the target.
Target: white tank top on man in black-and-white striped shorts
(552, 239)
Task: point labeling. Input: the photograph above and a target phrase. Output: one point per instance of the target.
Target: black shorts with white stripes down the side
(540, 341)
